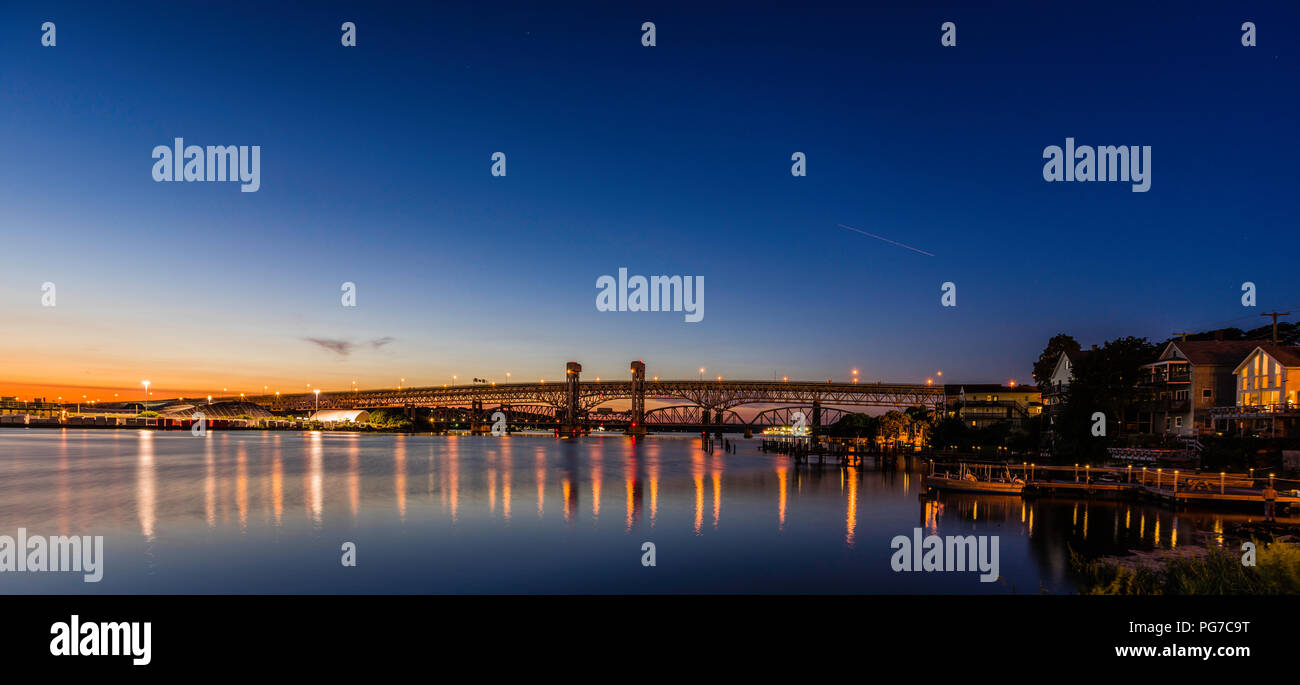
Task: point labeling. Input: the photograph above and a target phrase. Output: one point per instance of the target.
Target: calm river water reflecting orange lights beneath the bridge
(268, 513)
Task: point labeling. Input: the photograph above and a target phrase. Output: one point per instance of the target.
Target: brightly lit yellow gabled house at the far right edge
(1268, 394)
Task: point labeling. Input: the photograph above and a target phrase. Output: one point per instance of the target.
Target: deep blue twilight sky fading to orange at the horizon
(670, 161)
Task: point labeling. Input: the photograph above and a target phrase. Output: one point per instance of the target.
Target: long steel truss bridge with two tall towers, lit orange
(574, 406)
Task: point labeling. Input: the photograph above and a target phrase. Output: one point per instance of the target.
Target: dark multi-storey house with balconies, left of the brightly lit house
(1186, 383)
